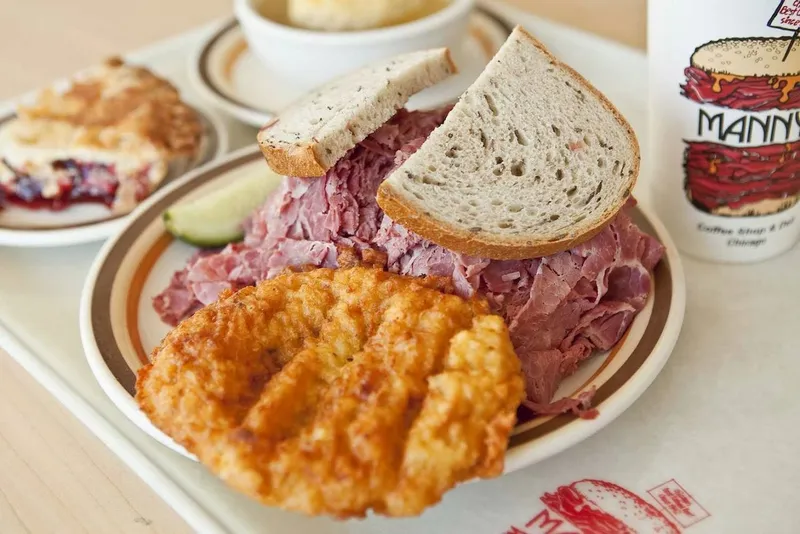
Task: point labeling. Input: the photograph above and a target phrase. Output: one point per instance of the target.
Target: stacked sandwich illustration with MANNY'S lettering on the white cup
(756, 84)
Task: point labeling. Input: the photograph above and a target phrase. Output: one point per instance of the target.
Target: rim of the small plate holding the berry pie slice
(102, 229)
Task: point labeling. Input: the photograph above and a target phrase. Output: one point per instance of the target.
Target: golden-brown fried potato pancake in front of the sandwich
(339, 391)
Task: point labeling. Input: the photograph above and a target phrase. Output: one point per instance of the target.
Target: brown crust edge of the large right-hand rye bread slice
(402, 211)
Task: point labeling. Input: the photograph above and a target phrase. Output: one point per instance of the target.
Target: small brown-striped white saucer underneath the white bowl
(229, 75)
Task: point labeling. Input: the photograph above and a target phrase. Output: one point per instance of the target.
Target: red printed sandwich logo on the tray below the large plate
(599, 507)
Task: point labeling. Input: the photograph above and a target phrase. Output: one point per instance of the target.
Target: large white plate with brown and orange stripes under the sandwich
(119, 326)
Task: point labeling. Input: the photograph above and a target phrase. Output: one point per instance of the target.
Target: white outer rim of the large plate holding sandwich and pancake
(522, 455)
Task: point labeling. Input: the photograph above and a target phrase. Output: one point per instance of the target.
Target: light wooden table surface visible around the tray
(56, 476)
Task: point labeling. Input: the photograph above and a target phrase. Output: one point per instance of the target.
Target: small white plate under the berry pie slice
(84, 223)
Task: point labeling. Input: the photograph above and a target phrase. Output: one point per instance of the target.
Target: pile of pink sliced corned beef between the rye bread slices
(559, 309)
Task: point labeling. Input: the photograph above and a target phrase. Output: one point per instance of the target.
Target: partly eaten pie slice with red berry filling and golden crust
(111, 138)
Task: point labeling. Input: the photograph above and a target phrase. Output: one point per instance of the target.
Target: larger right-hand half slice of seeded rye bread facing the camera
(531, 161)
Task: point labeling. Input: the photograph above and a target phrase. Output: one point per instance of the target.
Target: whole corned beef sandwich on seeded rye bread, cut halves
(578, 294)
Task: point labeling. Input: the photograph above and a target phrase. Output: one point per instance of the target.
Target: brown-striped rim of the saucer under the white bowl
(201, 78)
